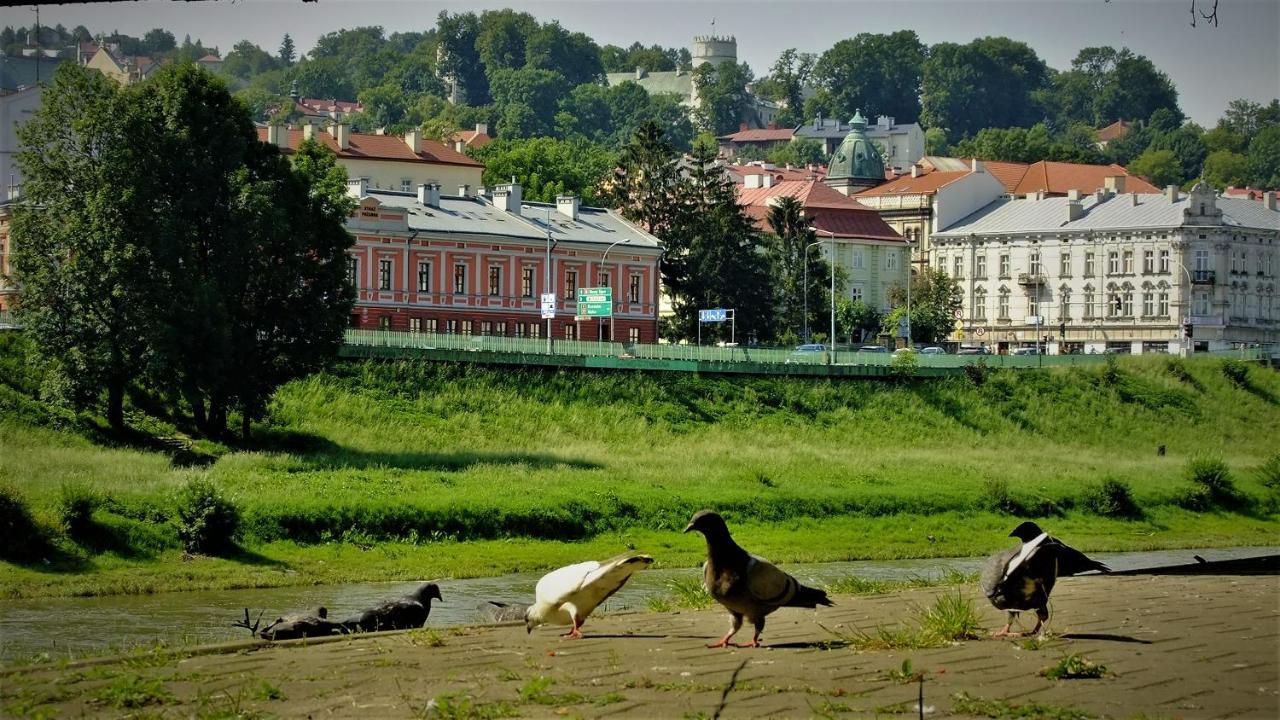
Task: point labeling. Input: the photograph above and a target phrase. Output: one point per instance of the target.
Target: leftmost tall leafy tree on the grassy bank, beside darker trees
(83, 257)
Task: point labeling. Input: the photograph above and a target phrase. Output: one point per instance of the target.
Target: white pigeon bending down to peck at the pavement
(569, 595)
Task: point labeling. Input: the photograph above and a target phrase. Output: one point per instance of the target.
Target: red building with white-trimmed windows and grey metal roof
(427, 262)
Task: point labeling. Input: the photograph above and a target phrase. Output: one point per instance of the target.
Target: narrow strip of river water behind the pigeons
(77, 626)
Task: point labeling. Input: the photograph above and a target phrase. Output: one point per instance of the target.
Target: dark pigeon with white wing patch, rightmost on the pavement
(1022, 578)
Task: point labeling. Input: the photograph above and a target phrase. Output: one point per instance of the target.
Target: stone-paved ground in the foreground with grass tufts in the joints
(1176, 646)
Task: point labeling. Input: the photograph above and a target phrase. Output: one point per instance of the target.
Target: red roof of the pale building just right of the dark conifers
(830, 211)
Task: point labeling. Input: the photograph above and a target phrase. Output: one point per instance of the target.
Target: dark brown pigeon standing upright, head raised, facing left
(749, 587)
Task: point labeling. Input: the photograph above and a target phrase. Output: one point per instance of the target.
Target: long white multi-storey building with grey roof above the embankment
(1117, 271)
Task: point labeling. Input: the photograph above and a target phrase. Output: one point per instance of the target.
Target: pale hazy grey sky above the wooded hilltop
(1241, 58)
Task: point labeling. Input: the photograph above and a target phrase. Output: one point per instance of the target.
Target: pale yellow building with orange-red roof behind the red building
(387, 162)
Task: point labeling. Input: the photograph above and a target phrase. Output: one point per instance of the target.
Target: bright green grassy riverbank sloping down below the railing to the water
(387, 471)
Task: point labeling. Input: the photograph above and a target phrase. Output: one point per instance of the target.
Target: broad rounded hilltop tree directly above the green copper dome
(876, 74)
